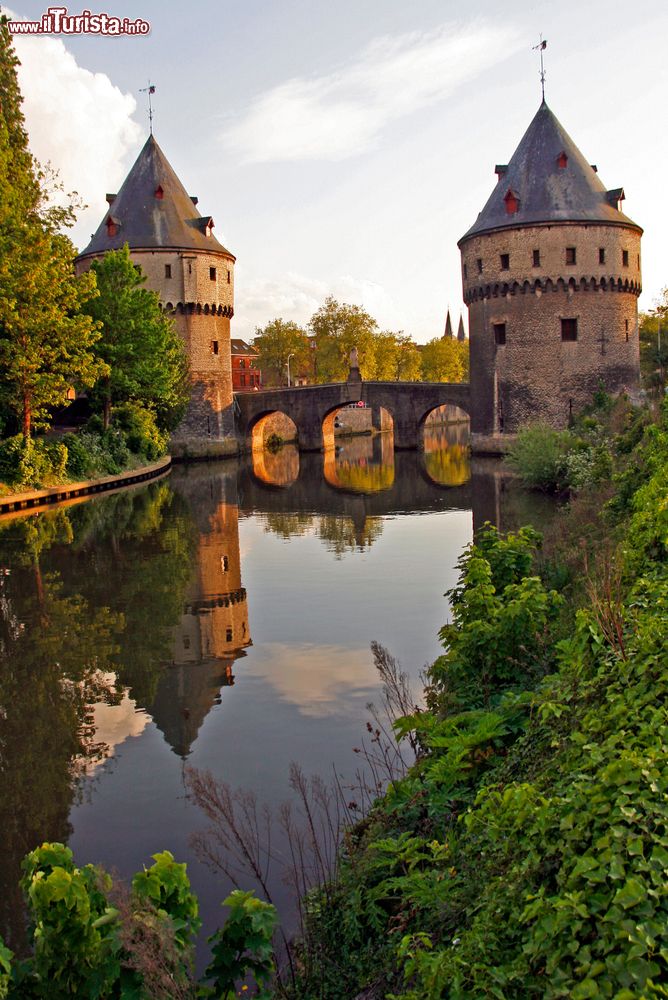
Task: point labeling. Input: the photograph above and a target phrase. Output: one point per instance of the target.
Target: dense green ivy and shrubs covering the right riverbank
(525, 852)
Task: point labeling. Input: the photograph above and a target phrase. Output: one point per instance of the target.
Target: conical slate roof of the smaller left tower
(153, 210)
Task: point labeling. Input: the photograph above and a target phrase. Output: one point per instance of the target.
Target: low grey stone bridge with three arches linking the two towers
(408, 403)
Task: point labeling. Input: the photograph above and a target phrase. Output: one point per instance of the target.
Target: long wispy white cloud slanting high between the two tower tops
(343, 113)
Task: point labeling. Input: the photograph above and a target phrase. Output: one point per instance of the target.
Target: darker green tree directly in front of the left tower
(144, 354)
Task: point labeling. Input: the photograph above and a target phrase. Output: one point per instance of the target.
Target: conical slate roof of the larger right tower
(548, 180)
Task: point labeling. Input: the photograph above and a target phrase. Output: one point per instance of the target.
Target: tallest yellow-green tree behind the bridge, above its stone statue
(337, 329)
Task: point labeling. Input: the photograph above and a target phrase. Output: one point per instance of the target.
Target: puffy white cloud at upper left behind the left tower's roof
(77, 120)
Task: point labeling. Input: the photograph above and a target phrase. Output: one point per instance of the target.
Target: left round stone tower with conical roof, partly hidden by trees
(194, 276)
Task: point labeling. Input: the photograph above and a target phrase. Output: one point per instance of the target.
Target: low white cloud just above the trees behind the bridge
(296, 297)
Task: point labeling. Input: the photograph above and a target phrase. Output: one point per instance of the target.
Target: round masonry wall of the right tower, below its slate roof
(536, 375)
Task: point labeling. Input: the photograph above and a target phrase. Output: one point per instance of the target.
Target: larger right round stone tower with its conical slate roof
(551, 278)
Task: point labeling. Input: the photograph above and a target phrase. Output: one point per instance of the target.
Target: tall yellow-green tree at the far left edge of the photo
(45, 340)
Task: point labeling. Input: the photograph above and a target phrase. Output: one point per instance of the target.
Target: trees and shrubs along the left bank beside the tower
(99, 335)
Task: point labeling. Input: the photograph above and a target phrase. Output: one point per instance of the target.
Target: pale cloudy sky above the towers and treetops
(343, 148)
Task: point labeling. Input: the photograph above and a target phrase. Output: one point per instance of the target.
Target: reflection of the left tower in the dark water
(213, 628)
